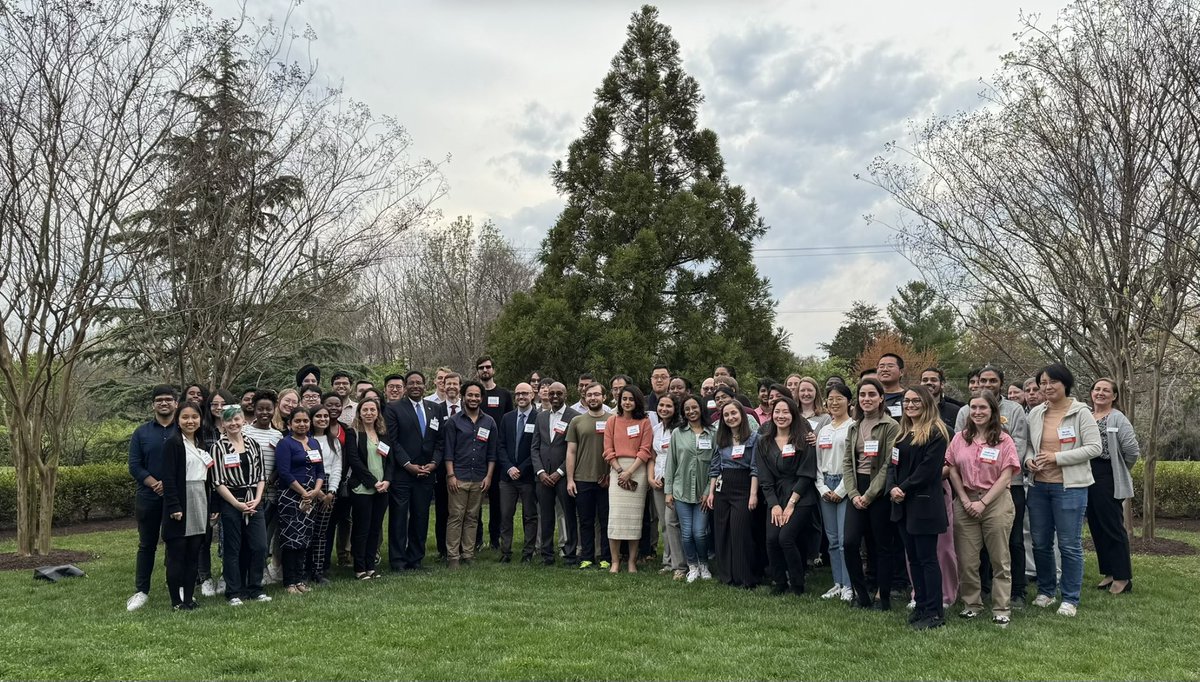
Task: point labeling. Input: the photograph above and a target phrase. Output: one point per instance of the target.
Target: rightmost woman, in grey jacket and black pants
(1114, 484)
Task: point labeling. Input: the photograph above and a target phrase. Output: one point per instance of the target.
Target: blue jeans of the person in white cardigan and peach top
(1058, 511)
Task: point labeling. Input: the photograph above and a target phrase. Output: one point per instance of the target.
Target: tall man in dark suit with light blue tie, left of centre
(411, 424)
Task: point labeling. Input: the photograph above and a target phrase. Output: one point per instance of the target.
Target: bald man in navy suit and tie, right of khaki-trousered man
(517, 475)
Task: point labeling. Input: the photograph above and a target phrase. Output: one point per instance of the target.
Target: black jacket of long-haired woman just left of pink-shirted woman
(919, 474)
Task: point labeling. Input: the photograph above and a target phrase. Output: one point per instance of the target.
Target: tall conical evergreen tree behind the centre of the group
(652, 258)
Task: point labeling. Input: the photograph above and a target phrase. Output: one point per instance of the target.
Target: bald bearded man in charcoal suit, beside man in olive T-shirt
(548, 454)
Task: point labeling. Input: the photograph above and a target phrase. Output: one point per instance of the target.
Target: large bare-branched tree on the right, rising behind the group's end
(1071, 196)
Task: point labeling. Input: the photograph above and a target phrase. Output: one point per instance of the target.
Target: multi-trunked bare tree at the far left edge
(81, 116)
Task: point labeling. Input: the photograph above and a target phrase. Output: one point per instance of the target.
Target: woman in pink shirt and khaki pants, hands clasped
(983, 462)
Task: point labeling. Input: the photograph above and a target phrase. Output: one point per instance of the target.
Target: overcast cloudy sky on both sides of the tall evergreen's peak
(803, 95)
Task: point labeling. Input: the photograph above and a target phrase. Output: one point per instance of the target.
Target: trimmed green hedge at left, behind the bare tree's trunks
(88, 493)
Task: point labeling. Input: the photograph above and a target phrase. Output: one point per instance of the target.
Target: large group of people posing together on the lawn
(903, 492)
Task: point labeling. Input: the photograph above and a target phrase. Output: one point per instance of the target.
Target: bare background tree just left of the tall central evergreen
(433, 303)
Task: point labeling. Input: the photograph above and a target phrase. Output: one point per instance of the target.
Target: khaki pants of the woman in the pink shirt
(991, 530)
